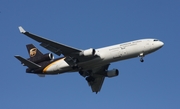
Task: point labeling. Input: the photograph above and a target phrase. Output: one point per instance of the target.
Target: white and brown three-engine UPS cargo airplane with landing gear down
(92, 64)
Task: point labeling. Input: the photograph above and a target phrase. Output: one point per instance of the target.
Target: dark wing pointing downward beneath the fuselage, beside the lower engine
(99, 77)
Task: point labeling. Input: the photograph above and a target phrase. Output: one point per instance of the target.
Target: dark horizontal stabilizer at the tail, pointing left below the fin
(27, 63)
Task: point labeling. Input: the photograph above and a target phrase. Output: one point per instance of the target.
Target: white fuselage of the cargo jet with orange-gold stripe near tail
(109, 54)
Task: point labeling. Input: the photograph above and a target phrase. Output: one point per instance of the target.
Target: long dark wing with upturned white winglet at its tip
(52, 46)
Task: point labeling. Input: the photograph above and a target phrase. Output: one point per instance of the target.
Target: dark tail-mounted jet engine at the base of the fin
(45, 57)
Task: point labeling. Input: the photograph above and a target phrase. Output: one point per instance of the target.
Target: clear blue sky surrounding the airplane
(154, 84)
